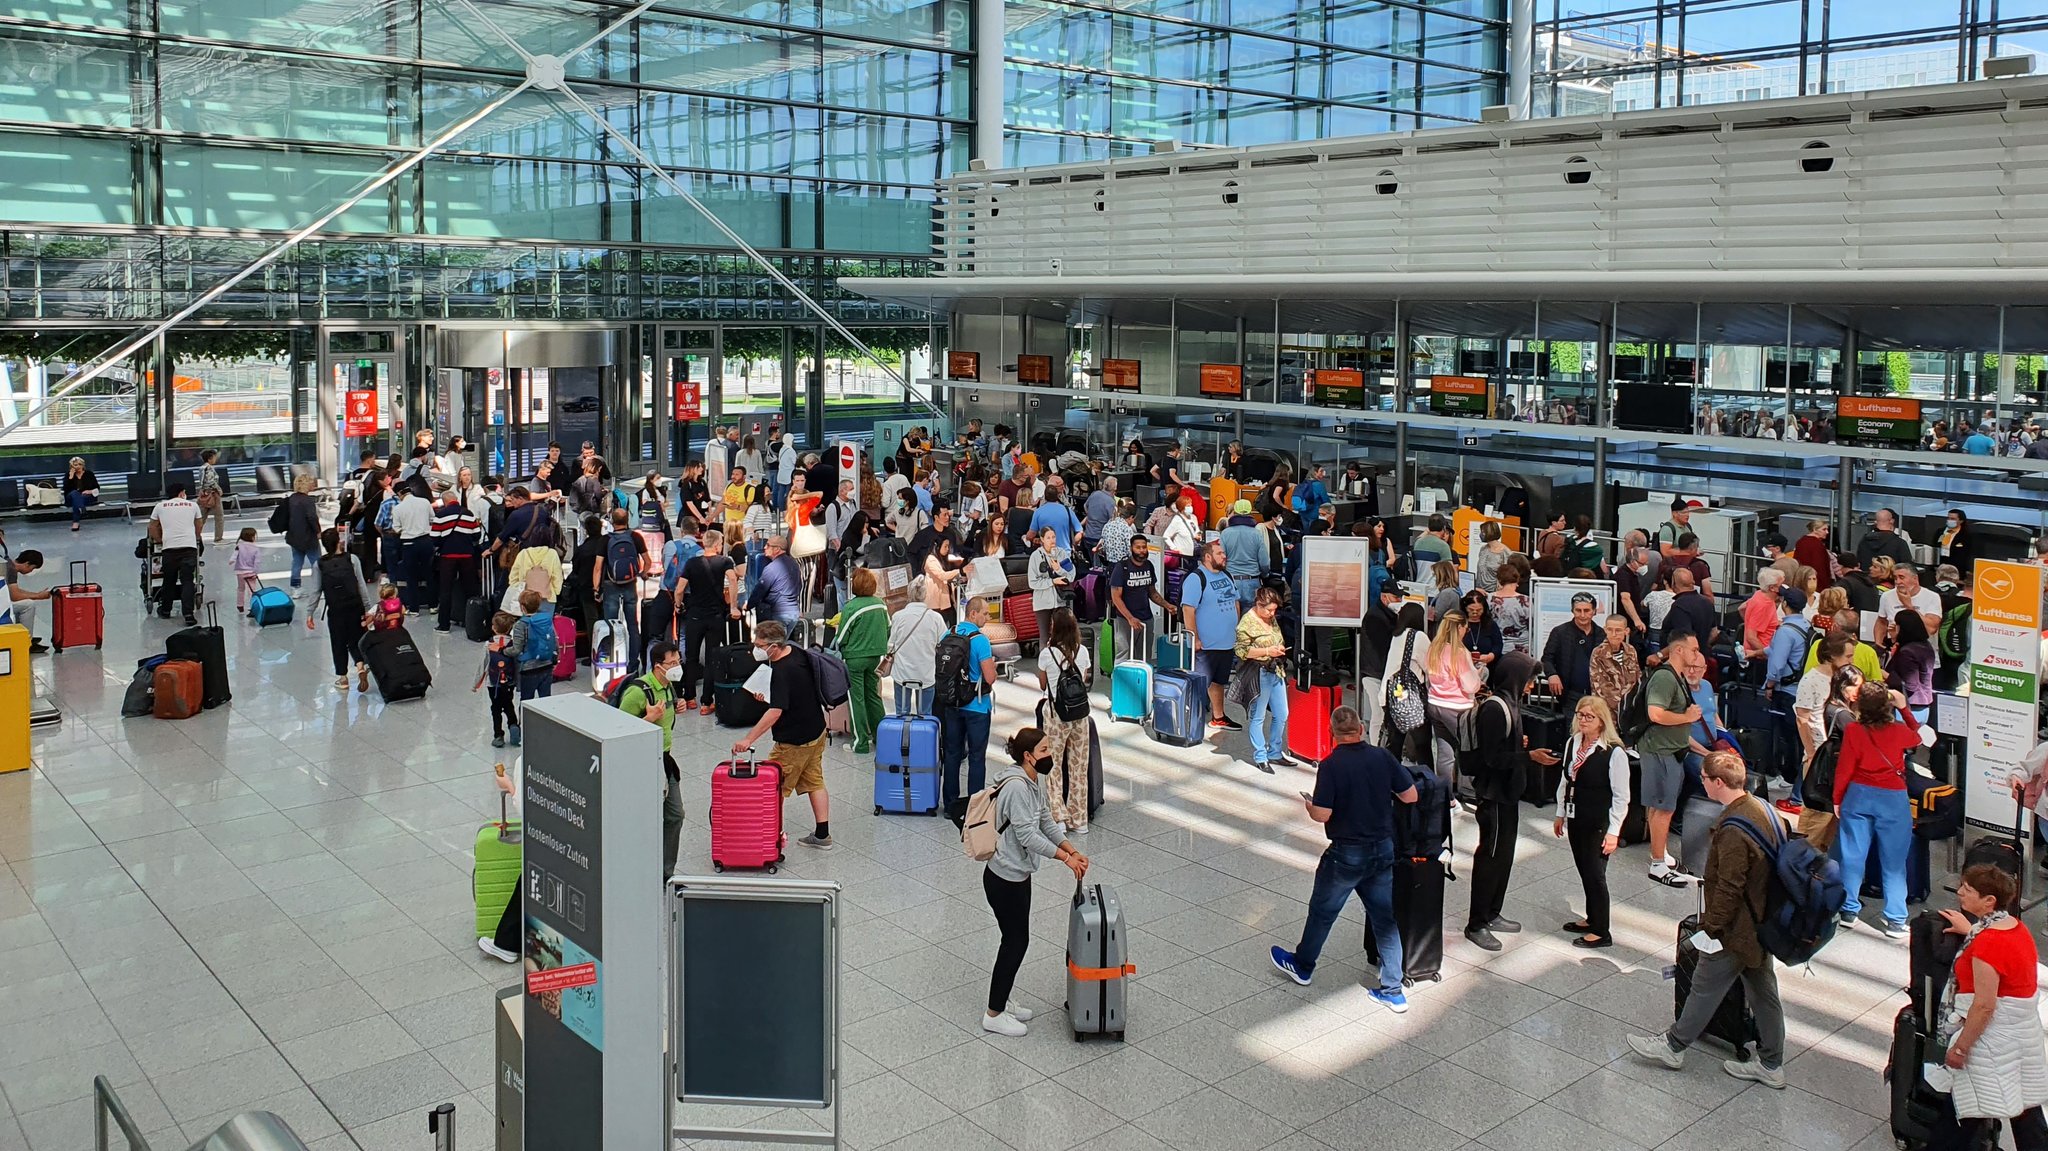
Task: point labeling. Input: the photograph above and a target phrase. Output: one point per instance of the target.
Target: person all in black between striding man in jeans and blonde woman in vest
(1500, 773)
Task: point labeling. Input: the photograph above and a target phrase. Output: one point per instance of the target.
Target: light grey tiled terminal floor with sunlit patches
(269, 908)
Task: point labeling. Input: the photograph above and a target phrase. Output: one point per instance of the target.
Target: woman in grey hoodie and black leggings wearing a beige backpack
(1027, 835)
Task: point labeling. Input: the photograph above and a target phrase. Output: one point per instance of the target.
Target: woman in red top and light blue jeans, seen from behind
(1871, 800)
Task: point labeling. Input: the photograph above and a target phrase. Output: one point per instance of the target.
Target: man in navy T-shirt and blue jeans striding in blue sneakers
(1355, 802)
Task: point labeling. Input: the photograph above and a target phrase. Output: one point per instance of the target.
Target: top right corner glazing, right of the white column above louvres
(1598, 56)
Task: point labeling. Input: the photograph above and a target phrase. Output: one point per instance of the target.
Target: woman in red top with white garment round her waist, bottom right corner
(1996, 1048)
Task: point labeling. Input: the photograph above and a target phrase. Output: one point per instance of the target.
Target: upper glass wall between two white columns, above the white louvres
(1086, 81)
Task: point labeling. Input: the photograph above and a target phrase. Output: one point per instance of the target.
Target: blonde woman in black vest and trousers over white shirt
(1592, 802)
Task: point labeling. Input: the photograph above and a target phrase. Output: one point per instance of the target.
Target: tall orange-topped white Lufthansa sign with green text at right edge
(2006, 652)
